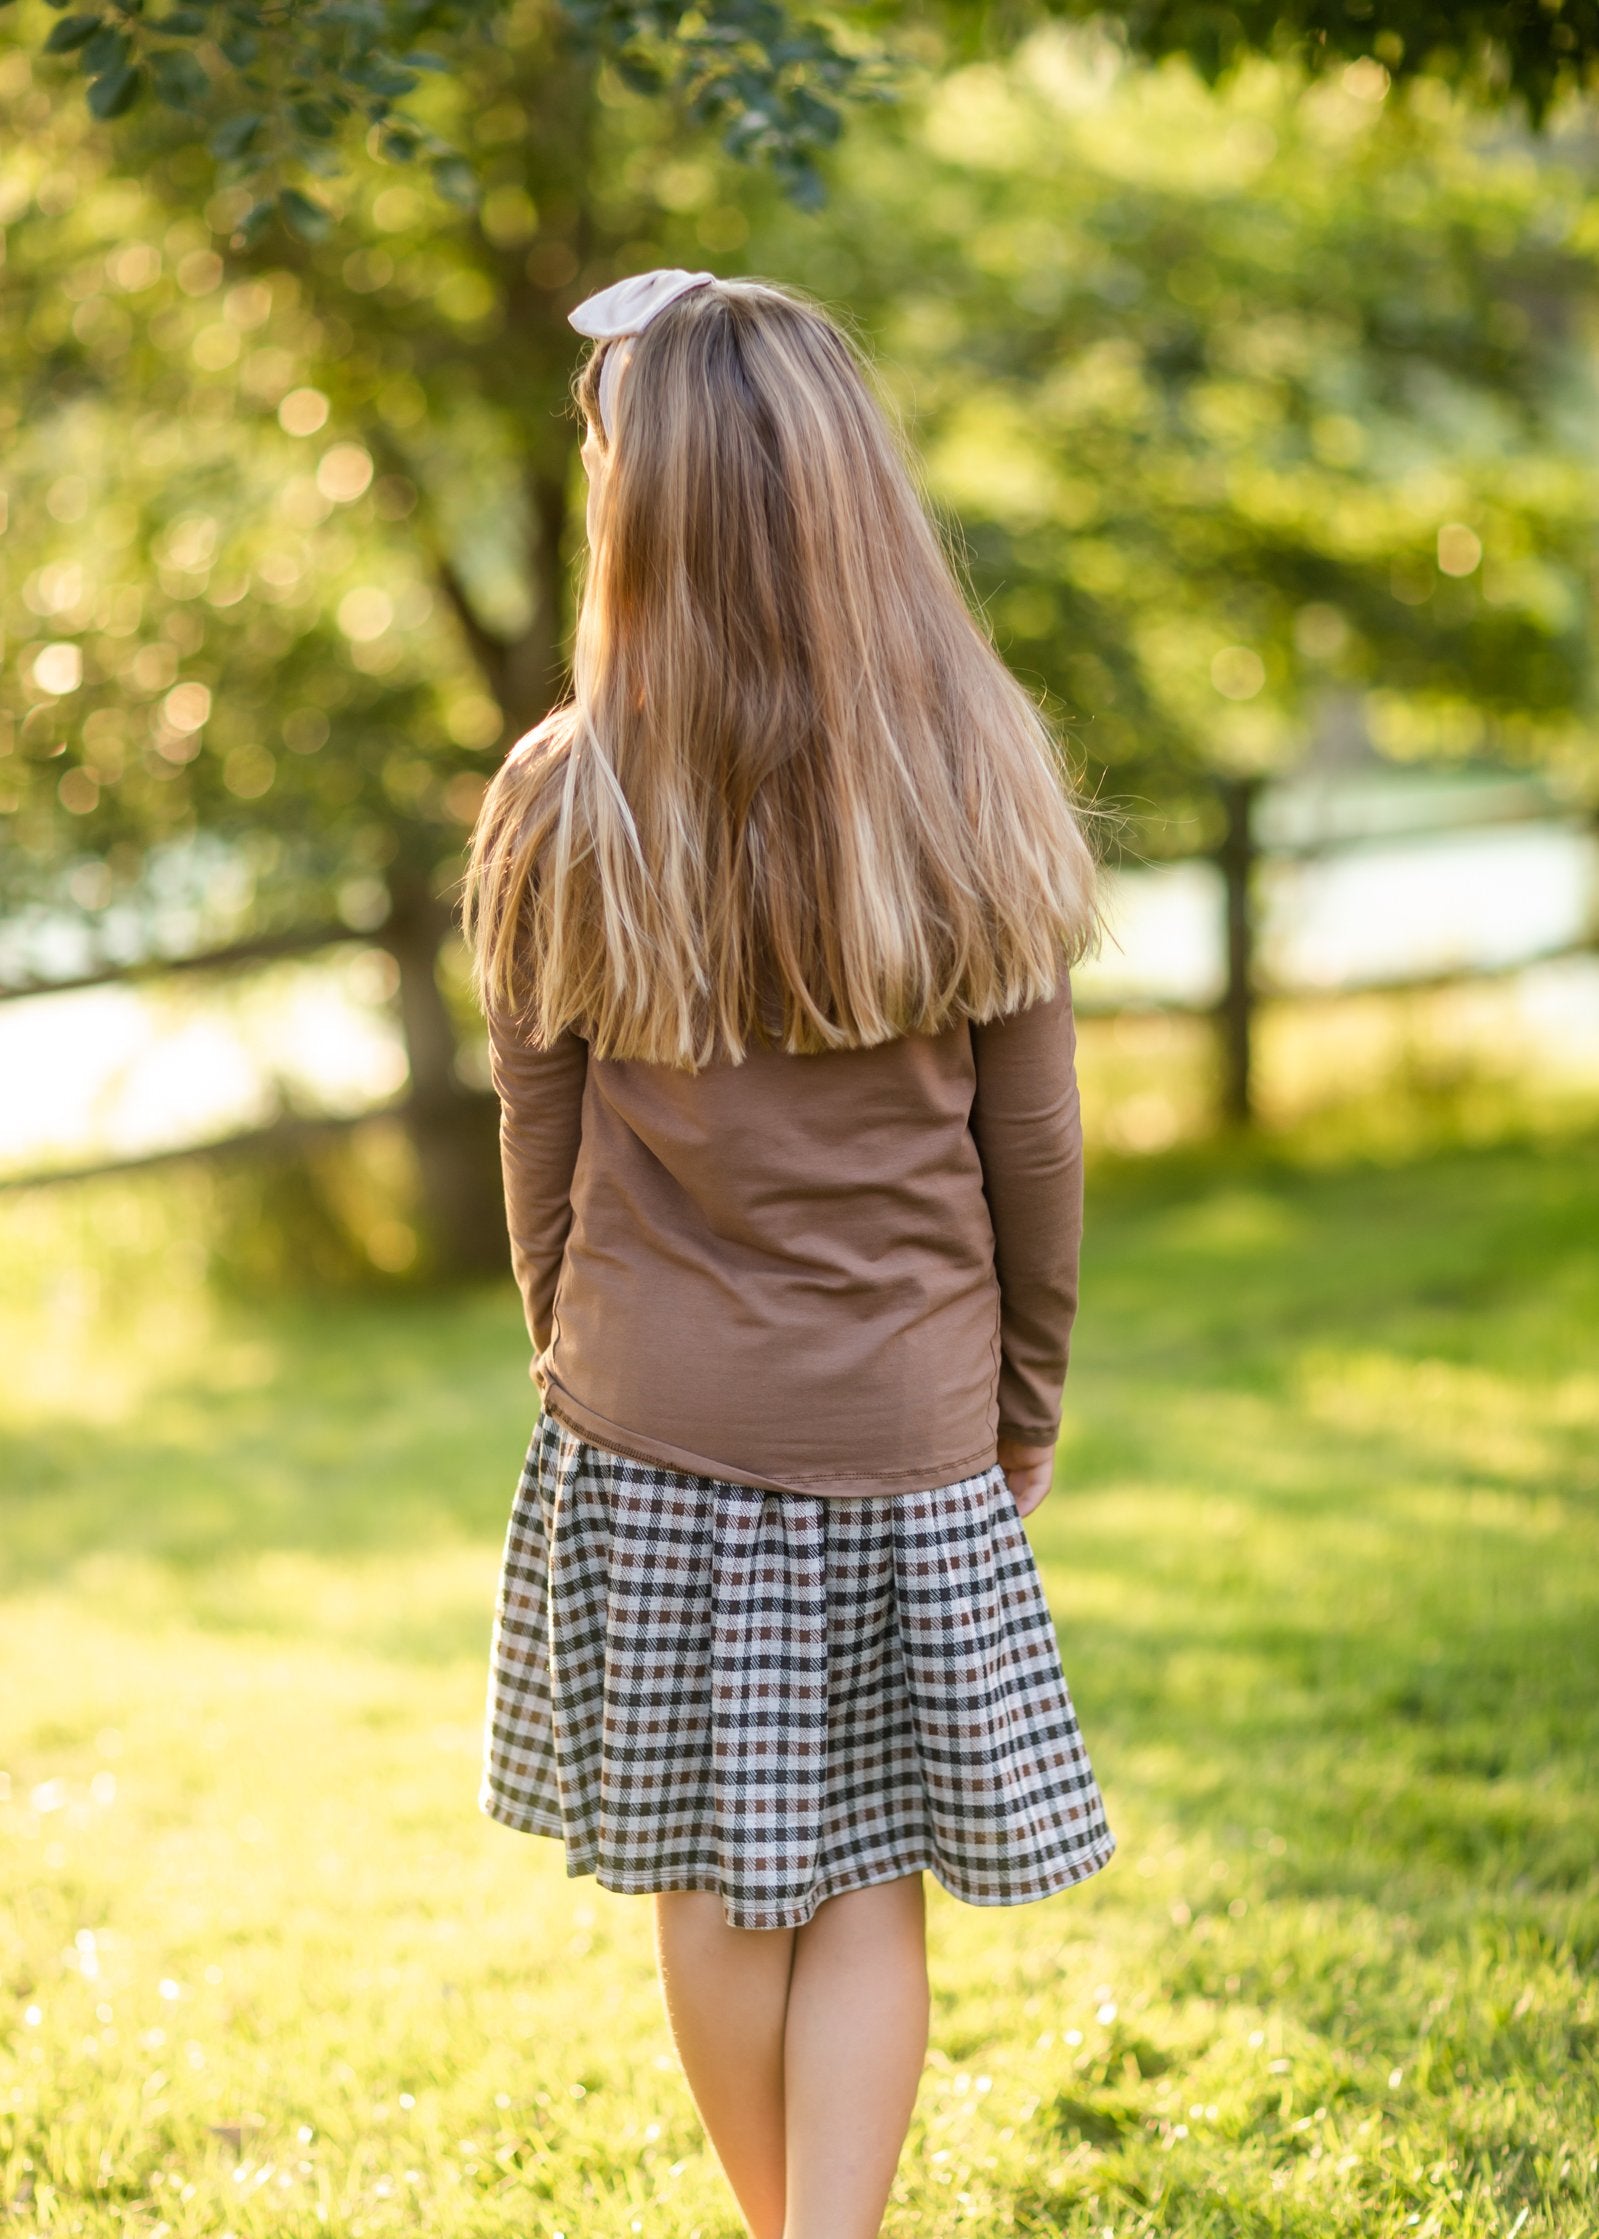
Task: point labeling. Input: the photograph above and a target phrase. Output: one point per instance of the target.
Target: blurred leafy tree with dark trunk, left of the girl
(294, 527)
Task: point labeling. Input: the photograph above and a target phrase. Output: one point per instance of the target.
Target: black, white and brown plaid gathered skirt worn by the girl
(780, 1696)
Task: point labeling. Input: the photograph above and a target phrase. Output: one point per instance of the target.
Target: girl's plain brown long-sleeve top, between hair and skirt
(843, 1273)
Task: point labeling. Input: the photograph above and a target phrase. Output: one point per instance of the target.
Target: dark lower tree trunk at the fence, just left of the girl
(453, 1130)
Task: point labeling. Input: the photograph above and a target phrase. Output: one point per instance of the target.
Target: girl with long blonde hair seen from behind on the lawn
(772, 928)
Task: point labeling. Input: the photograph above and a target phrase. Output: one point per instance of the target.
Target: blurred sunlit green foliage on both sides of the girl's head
(1257, 411)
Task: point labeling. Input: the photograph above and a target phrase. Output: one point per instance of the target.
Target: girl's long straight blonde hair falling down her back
(796, 796)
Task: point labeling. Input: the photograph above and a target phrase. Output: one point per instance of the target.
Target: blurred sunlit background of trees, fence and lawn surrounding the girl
(1262, 422)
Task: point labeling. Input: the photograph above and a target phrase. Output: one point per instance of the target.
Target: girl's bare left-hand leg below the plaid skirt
(727, 1992)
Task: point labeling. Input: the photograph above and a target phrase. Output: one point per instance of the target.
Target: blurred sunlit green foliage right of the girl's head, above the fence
(1262, 413)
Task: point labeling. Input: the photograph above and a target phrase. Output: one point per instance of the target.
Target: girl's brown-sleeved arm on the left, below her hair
(541, 1127)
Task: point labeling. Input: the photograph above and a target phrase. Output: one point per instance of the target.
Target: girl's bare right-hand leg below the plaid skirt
(854, 2052)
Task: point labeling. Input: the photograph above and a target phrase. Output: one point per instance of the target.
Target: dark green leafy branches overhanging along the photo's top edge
(277, 97)
